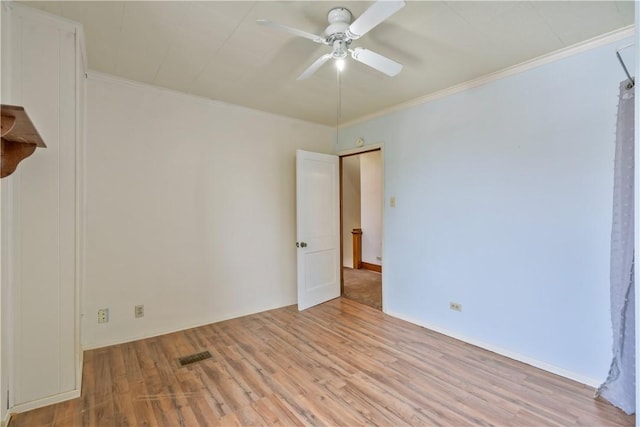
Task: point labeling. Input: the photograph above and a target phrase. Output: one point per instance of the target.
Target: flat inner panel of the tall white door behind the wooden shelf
(38, 289)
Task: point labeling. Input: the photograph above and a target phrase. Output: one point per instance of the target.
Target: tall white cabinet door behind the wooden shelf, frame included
(43, 244)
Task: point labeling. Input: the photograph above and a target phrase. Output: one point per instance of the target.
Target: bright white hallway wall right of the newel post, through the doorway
(371, 206)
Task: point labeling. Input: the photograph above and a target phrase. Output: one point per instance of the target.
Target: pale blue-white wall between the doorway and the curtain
(504, 205)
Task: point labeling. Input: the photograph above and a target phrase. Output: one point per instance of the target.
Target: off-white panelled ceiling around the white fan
(216, 50)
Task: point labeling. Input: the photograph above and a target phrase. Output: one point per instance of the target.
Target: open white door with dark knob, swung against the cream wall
(318, 228)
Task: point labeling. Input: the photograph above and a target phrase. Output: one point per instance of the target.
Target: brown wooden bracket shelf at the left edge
(19, 138)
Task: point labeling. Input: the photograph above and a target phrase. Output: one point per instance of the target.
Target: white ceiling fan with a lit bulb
(341, 32)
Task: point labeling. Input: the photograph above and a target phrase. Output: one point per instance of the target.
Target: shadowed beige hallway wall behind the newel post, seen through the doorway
(350, 205)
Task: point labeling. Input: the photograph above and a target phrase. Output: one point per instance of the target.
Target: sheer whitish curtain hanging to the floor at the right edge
(619, 387)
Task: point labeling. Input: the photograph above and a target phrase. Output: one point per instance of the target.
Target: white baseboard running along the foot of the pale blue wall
(592, 382)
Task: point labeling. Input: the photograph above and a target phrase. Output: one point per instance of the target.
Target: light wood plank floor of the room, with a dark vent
(341, 363)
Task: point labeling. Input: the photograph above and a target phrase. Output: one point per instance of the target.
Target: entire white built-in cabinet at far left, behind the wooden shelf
(43, 71)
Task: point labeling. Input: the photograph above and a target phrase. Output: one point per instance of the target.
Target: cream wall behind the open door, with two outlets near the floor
(190, 209)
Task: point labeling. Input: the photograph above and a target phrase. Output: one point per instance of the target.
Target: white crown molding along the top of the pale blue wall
(575, 49)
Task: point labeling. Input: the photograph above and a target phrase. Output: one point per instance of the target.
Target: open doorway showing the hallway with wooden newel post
(361, 213)
